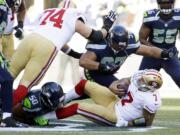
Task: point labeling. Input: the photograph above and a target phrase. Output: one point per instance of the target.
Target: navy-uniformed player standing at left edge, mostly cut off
(6, 80)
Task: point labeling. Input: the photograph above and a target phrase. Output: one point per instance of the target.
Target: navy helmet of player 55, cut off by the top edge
(166, 6)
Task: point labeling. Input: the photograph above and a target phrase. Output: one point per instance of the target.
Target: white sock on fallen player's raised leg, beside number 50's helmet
(71, 95)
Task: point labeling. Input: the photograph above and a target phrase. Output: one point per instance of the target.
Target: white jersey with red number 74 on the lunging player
(58, 25)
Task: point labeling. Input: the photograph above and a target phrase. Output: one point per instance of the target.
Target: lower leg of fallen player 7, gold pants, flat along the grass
(97, 113)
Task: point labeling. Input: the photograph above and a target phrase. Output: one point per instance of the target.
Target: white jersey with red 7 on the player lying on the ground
(131, 106)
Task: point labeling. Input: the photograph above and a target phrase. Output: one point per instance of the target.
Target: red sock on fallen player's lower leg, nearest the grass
(67, 111)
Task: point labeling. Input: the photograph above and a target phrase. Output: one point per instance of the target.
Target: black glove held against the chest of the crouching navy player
(108, 68)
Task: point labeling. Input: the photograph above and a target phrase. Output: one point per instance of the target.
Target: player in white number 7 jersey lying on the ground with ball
(136, 108)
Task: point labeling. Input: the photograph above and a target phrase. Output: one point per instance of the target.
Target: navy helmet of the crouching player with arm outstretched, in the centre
(118, 38)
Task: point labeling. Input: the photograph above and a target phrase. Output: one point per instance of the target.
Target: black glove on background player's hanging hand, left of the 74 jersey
(19, 30)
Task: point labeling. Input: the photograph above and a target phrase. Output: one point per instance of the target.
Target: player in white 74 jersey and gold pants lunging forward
(35, 53)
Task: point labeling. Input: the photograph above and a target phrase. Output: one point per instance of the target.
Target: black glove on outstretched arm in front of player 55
(169, 53)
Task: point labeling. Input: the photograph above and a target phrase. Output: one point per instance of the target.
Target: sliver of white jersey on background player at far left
(10, 23)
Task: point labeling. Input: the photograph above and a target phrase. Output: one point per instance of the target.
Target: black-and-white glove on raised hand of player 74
(109, 20)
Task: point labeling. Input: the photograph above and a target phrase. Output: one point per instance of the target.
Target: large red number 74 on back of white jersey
(55, 17)
